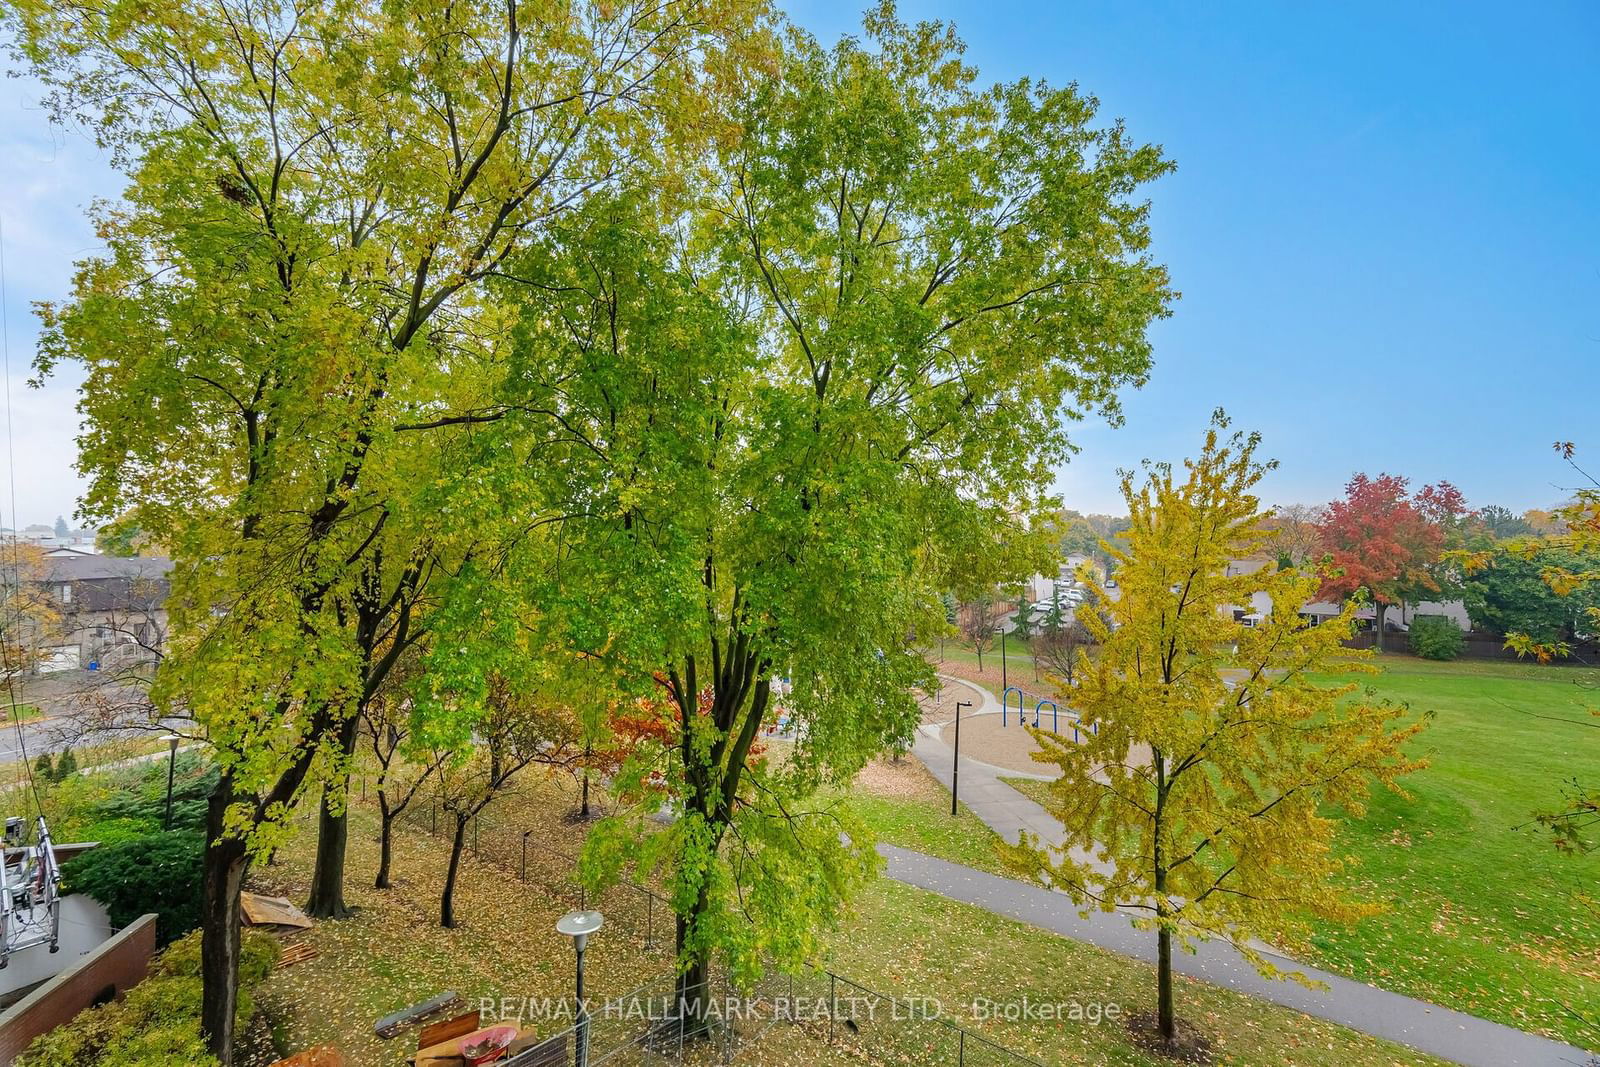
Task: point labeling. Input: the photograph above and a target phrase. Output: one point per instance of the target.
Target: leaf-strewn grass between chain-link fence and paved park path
(910, 943)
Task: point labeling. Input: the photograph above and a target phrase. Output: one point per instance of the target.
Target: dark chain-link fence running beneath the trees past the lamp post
(641, 1028)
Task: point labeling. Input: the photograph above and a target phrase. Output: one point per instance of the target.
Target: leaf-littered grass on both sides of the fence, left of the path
(900, 941)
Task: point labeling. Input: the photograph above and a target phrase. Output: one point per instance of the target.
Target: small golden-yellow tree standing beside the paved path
(1206, 799)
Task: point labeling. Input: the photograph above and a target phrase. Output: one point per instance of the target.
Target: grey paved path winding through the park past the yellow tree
(1407, 1021)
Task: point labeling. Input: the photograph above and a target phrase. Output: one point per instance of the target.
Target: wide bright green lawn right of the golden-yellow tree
(1481, 916)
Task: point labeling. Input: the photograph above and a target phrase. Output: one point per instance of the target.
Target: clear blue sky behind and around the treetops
(1386, 228)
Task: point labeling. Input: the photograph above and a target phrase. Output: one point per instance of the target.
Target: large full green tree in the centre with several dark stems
(785, 406)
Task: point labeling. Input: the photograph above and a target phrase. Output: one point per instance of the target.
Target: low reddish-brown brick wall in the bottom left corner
(111, 970)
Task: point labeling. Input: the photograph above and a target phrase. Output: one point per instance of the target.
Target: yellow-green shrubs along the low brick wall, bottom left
(158, 1025)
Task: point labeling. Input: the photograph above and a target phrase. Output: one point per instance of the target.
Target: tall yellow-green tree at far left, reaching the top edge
(290, 329)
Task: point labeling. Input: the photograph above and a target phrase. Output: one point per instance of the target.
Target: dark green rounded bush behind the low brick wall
(161, 874)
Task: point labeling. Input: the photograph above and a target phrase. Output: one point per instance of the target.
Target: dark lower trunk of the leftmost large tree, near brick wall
(226, 861)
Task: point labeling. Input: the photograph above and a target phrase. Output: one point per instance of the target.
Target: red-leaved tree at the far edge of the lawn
(1385, 541)
